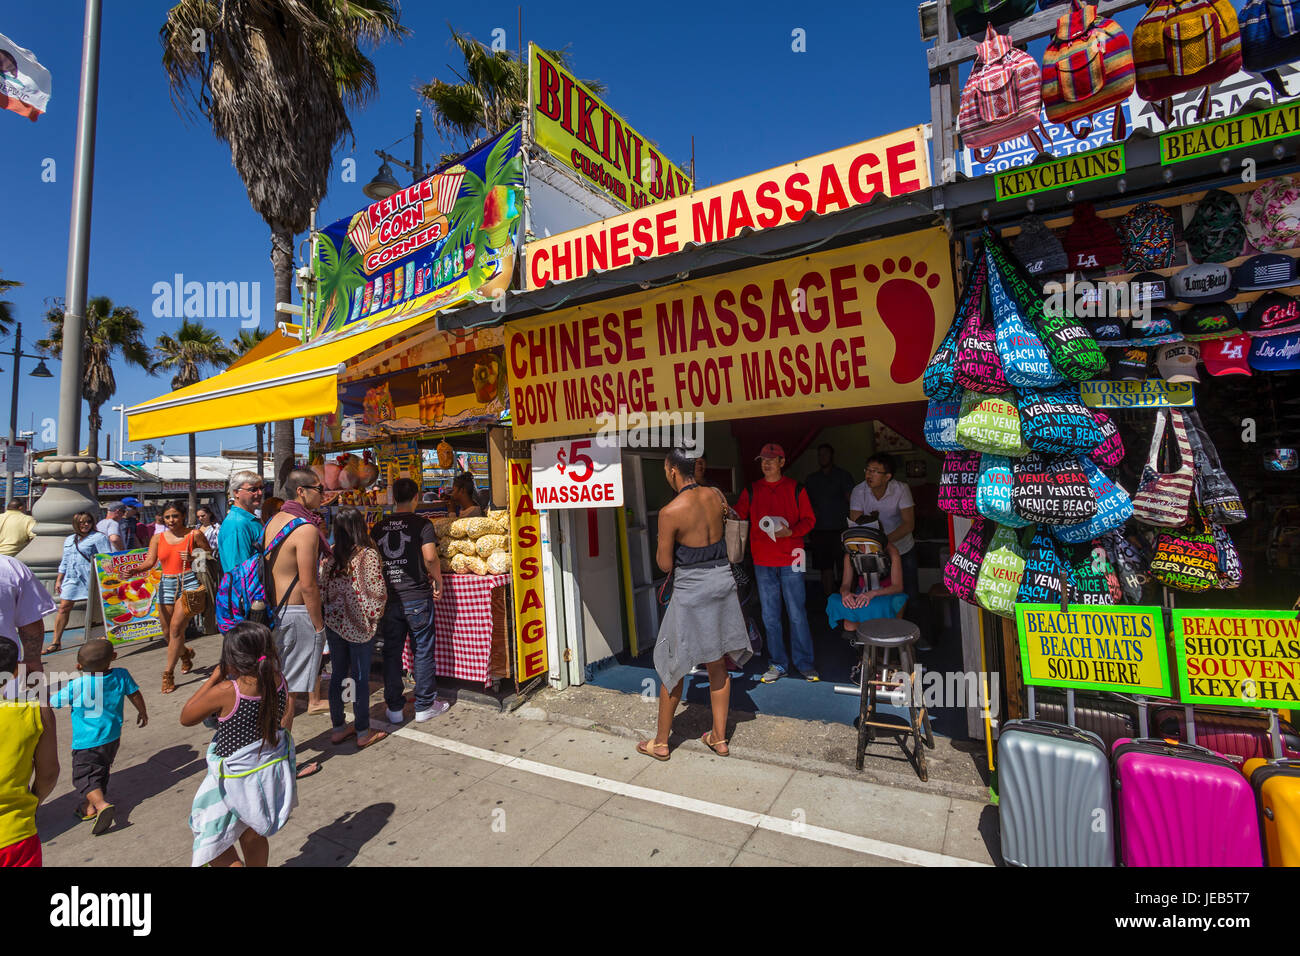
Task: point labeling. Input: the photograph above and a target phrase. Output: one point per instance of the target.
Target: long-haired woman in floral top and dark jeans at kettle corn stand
(354, 595)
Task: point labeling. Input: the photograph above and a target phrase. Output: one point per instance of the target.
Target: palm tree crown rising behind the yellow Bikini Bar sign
(492, 96)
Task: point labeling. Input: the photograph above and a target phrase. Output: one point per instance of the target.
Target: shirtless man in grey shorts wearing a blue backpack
(301, 626)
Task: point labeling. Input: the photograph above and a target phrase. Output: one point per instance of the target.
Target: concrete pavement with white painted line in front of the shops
(476, 788)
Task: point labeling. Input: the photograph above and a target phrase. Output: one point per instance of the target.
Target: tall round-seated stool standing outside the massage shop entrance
(878, 639)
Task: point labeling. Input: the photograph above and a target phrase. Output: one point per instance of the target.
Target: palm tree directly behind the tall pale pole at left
(111, 332)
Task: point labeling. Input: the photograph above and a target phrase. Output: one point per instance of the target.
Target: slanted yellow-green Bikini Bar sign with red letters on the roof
(577, 127)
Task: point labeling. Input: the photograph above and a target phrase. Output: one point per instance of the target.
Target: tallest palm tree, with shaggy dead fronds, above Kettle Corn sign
(276, 79)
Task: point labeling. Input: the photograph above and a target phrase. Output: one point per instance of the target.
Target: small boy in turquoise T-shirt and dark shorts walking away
(98, 702)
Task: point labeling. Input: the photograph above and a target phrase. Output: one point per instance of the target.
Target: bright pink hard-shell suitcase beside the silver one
(1182, 806)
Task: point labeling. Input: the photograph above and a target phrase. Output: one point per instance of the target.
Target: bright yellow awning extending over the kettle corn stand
(291, 384)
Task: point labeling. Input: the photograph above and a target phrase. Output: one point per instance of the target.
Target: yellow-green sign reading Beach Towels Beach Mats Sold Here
(1120, 650)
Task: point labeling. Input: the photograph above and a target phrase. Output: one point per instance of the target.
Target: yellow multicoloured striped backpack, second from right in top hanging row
(1182, 46)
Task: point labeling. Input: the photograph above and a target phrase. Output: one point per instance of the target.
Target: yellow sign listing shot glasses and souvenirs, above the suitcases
(1238, 659)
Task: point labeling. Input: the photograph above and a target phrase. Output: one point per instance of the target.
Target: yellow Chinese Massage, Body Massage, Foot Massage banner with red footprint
(838, 330)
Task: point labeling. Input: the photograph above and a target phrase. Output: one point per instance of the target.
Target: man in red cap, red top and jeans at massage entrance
(779, 561)
